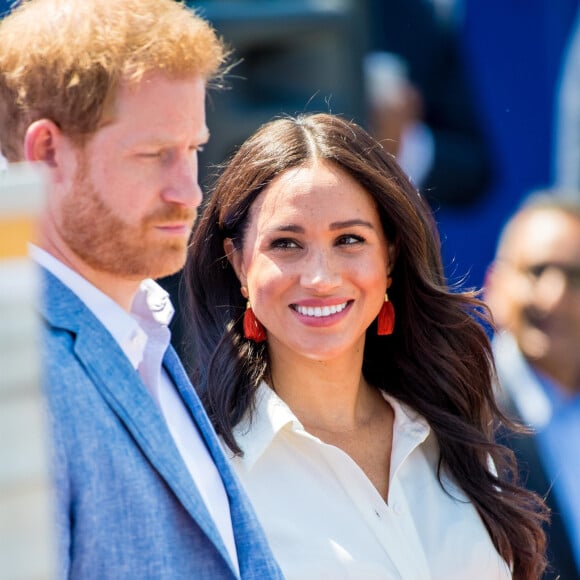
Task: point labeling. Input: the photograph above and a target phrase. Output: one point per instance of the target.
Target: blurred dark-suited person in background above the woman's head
(421, 106)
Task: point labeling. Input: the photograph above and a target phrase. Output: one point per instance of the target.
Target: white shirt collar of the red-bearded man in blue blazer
(150, 310)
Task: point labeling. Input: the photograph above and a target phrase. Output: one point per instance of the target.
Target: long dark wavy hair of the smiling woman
(438, 360)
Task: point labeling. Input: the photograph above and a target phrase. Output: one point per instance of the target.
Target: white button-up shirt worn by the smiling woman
(325, 519)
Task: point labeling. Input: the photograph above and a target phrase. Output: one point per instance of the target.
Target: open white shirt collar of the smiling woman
(271, 415)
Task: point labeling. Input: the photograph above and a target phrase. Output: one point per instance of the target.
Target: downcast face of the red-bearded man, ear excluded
(128, 207)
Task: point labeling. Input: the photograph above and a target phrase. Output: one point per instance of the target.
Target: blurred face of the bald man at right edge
(534, 290)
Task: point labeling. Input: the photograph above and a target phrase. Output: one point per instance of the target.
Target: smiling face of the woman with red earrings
(315, 262)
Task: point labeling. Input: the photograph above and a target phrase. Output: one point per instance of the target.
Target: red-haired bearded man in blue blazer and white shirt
(108, 96)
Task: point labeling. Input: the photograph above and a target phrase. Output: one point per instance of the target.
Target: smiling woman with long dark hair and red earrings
(365, 443)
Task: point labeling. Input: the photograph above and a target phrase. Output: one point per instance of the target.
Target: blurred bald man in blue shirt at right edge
(533, 290)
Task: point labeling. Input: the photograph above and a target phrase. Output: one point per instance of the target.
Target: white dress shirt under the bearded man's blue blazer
(144, 336)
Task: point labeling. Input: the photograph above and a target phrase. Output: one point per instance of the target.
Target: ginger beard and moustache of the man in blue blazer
(107, 243)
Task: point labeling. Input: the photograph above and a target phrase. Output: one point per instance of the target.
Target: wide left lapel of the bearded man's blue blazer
(122, 388)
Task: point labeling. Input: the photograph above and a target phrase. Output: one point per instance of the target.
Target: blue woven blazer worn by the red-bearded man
(126, 506)
